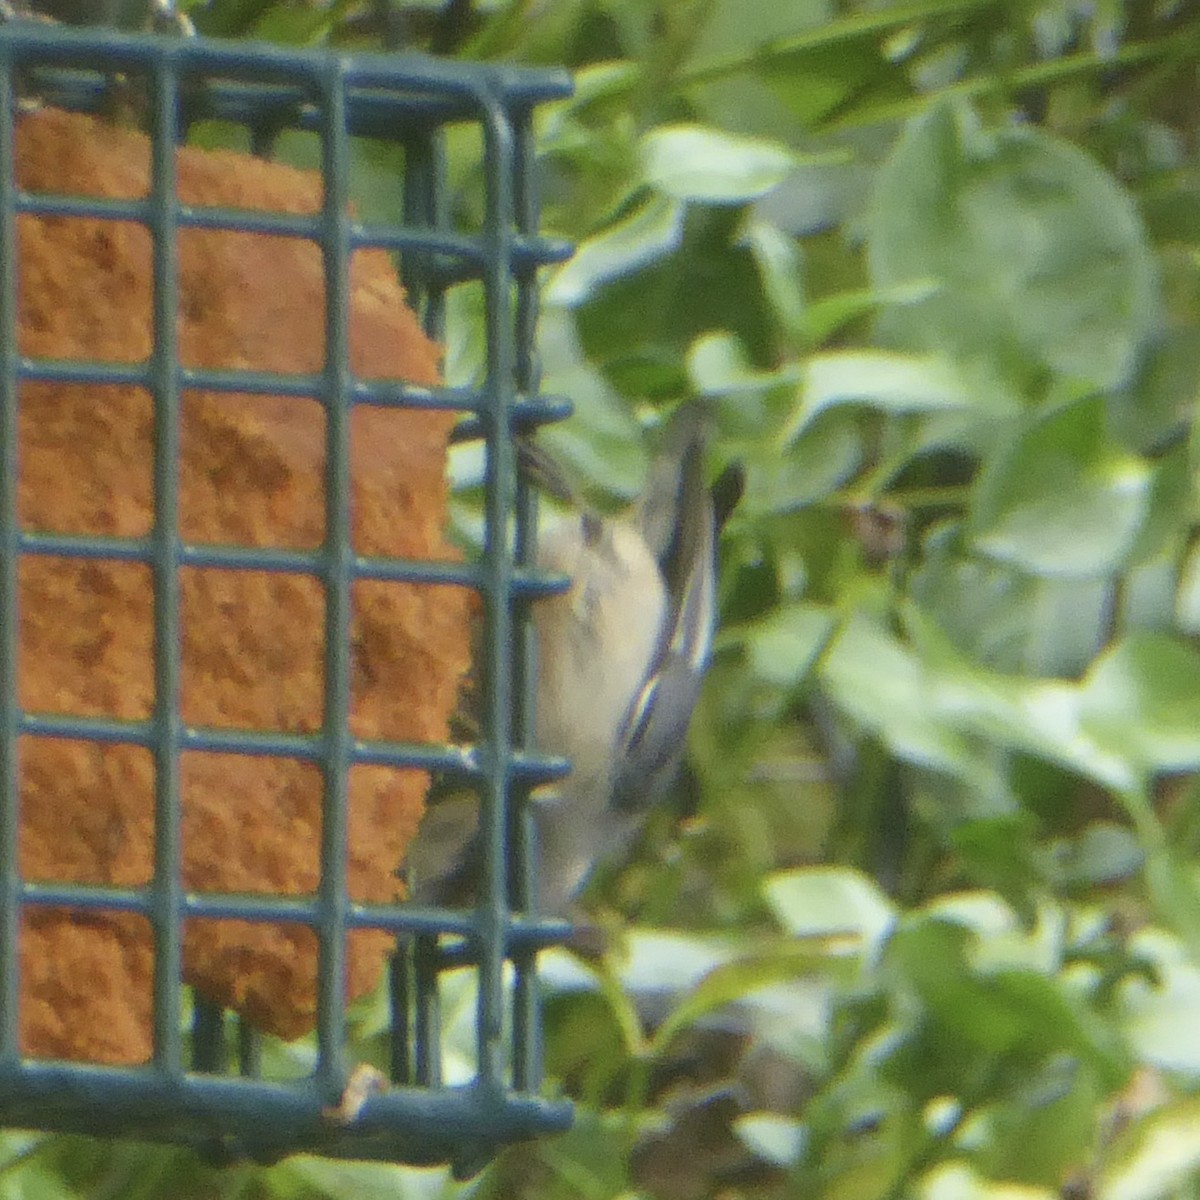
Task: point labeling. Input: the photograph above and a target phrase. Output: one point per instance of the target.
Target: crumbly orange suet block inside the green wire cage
(251, 475)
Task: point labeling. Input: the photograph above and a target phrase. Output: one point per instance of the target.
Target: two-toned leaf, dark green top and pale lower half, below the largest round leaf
(1063, 500)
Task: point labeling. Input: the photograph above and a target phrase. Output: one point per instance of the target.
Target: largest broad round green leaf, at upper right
(1042, 259)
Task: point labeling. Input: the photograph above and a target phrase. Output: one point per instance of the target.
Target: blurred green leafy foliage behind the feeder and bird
(926, 920)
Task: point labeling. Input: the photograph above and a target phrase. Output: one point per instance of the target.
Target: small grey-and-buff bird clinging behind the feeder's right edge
(621, 659)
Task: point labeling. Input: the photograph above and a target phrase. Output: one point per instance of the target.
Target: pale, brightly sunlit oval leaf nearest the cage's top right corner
(697, 163)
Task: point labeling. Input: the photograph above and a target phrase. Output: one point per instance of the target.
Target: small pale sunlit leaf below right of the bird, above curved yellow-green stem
(831, 903)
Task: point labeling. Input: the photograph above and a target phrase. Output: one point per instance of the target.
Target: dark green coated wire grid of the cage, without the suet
(404, 99)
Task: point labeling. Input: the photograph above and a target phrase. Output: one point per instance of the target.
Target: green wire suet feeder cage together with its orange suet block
(232, 629)
